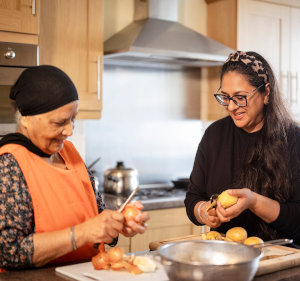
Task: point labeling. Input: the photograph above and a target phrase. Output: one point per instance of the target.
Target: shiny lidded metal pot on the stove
(120, 180)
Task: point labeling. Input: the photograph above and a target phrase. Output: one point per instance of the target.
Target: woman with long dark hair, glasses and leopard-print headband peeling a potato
(254, 152)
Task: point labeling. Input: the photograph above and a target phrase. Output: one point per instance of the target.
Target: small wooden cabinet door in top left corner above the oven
(19, 16)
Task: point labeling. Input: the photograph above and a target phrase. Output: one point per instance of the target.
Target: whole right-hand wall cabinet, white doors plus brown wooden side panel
(270, 29)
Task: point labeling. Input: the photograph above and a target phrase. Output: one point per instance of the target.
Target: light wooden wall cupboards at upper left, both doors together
(70, 36)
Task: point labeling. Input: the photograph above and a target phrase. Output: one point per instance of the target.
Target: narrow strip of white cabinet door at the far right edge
(294, 89)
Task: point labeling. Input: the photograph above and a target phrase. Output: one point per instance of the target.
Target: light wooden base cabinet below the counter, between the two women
(163, 224)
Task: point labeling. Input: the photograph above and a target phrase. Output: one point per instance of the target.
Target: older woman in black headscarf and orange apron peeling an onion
(50, 210)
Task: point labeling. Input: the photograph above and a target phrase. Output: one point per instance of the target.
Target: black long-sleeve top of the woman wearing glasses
(219, 159)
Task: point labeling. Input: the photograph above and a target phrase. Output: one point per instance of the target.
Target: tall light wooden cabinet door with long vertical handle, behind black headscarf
(71, 35)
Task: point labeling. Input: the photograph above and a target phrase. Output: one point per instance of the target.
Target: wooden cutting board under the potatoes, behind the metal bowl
(275, 257)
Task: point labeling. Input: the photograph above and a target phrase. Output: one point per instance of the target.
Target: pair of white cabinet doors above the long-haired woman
(277, 41)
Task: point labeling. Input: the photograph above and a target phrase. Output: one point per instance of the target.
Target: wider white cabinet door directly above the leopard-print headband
(264, 28)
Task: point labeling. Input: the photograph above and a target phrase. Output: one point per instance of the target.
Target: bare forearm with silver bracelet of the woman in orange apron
(51, 245)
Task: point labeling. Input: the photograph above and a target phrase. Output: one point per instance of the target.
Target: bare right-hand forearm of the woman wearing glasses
(265, 208)
